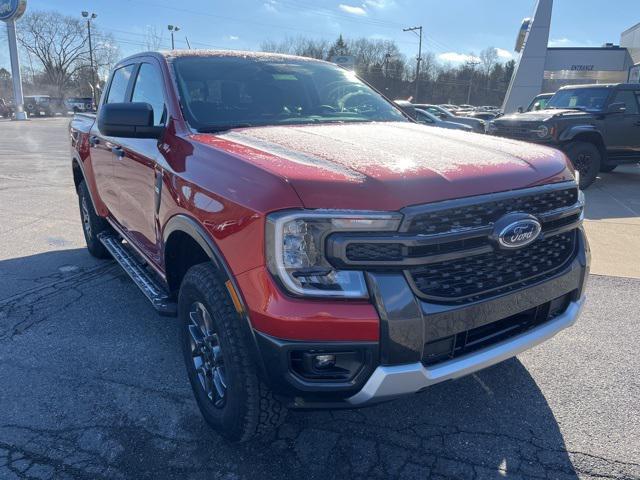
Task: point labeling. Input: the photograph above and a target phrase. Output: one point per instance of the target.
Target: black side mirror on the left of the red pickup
(128, 120)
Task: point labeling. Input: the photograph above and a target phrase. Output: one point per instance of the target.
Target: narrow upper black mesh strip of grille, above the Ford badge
(481, 214)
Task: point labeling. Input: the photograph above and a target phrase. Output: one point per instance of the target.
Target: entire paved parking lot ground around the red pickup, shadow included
(92, 382)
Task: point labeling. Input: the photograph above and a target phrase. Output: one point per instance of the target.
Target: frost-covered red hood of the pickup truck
(387, 166)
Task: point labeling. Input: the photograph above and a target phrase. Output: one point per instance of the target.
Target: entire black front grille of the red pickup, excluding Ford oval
(448, 250)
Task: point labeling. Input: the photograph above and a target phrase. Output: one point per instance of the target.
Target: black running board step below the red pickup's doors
(135, 268)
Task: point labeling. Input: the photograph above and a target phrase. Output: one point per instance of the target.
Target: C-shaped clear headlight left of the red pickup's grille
(295, 250)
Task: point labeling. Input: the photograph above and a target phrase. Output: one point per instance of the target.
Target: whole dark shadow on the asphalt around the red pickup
(91, 349)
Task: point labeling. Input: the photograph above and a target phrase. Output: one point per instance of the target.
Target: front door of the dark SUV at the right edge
(623, 129)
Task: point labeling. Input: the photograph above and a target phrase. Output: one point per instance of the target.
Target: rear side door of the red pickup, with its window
(102, 147)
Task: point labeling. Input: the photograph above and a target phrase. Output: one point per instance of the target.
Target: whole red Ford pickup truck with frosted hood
(320, 249)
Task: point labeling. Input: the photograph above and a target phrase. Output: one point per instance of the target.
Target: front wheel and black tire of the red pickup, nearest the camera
(231, 397)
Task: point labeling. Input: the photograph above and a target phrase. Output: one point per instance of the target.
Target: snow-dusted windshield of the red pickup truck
(221, 92)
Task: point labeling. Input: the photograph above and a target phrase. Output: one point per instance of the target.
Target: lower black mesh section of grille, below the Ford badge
(477, 277)
